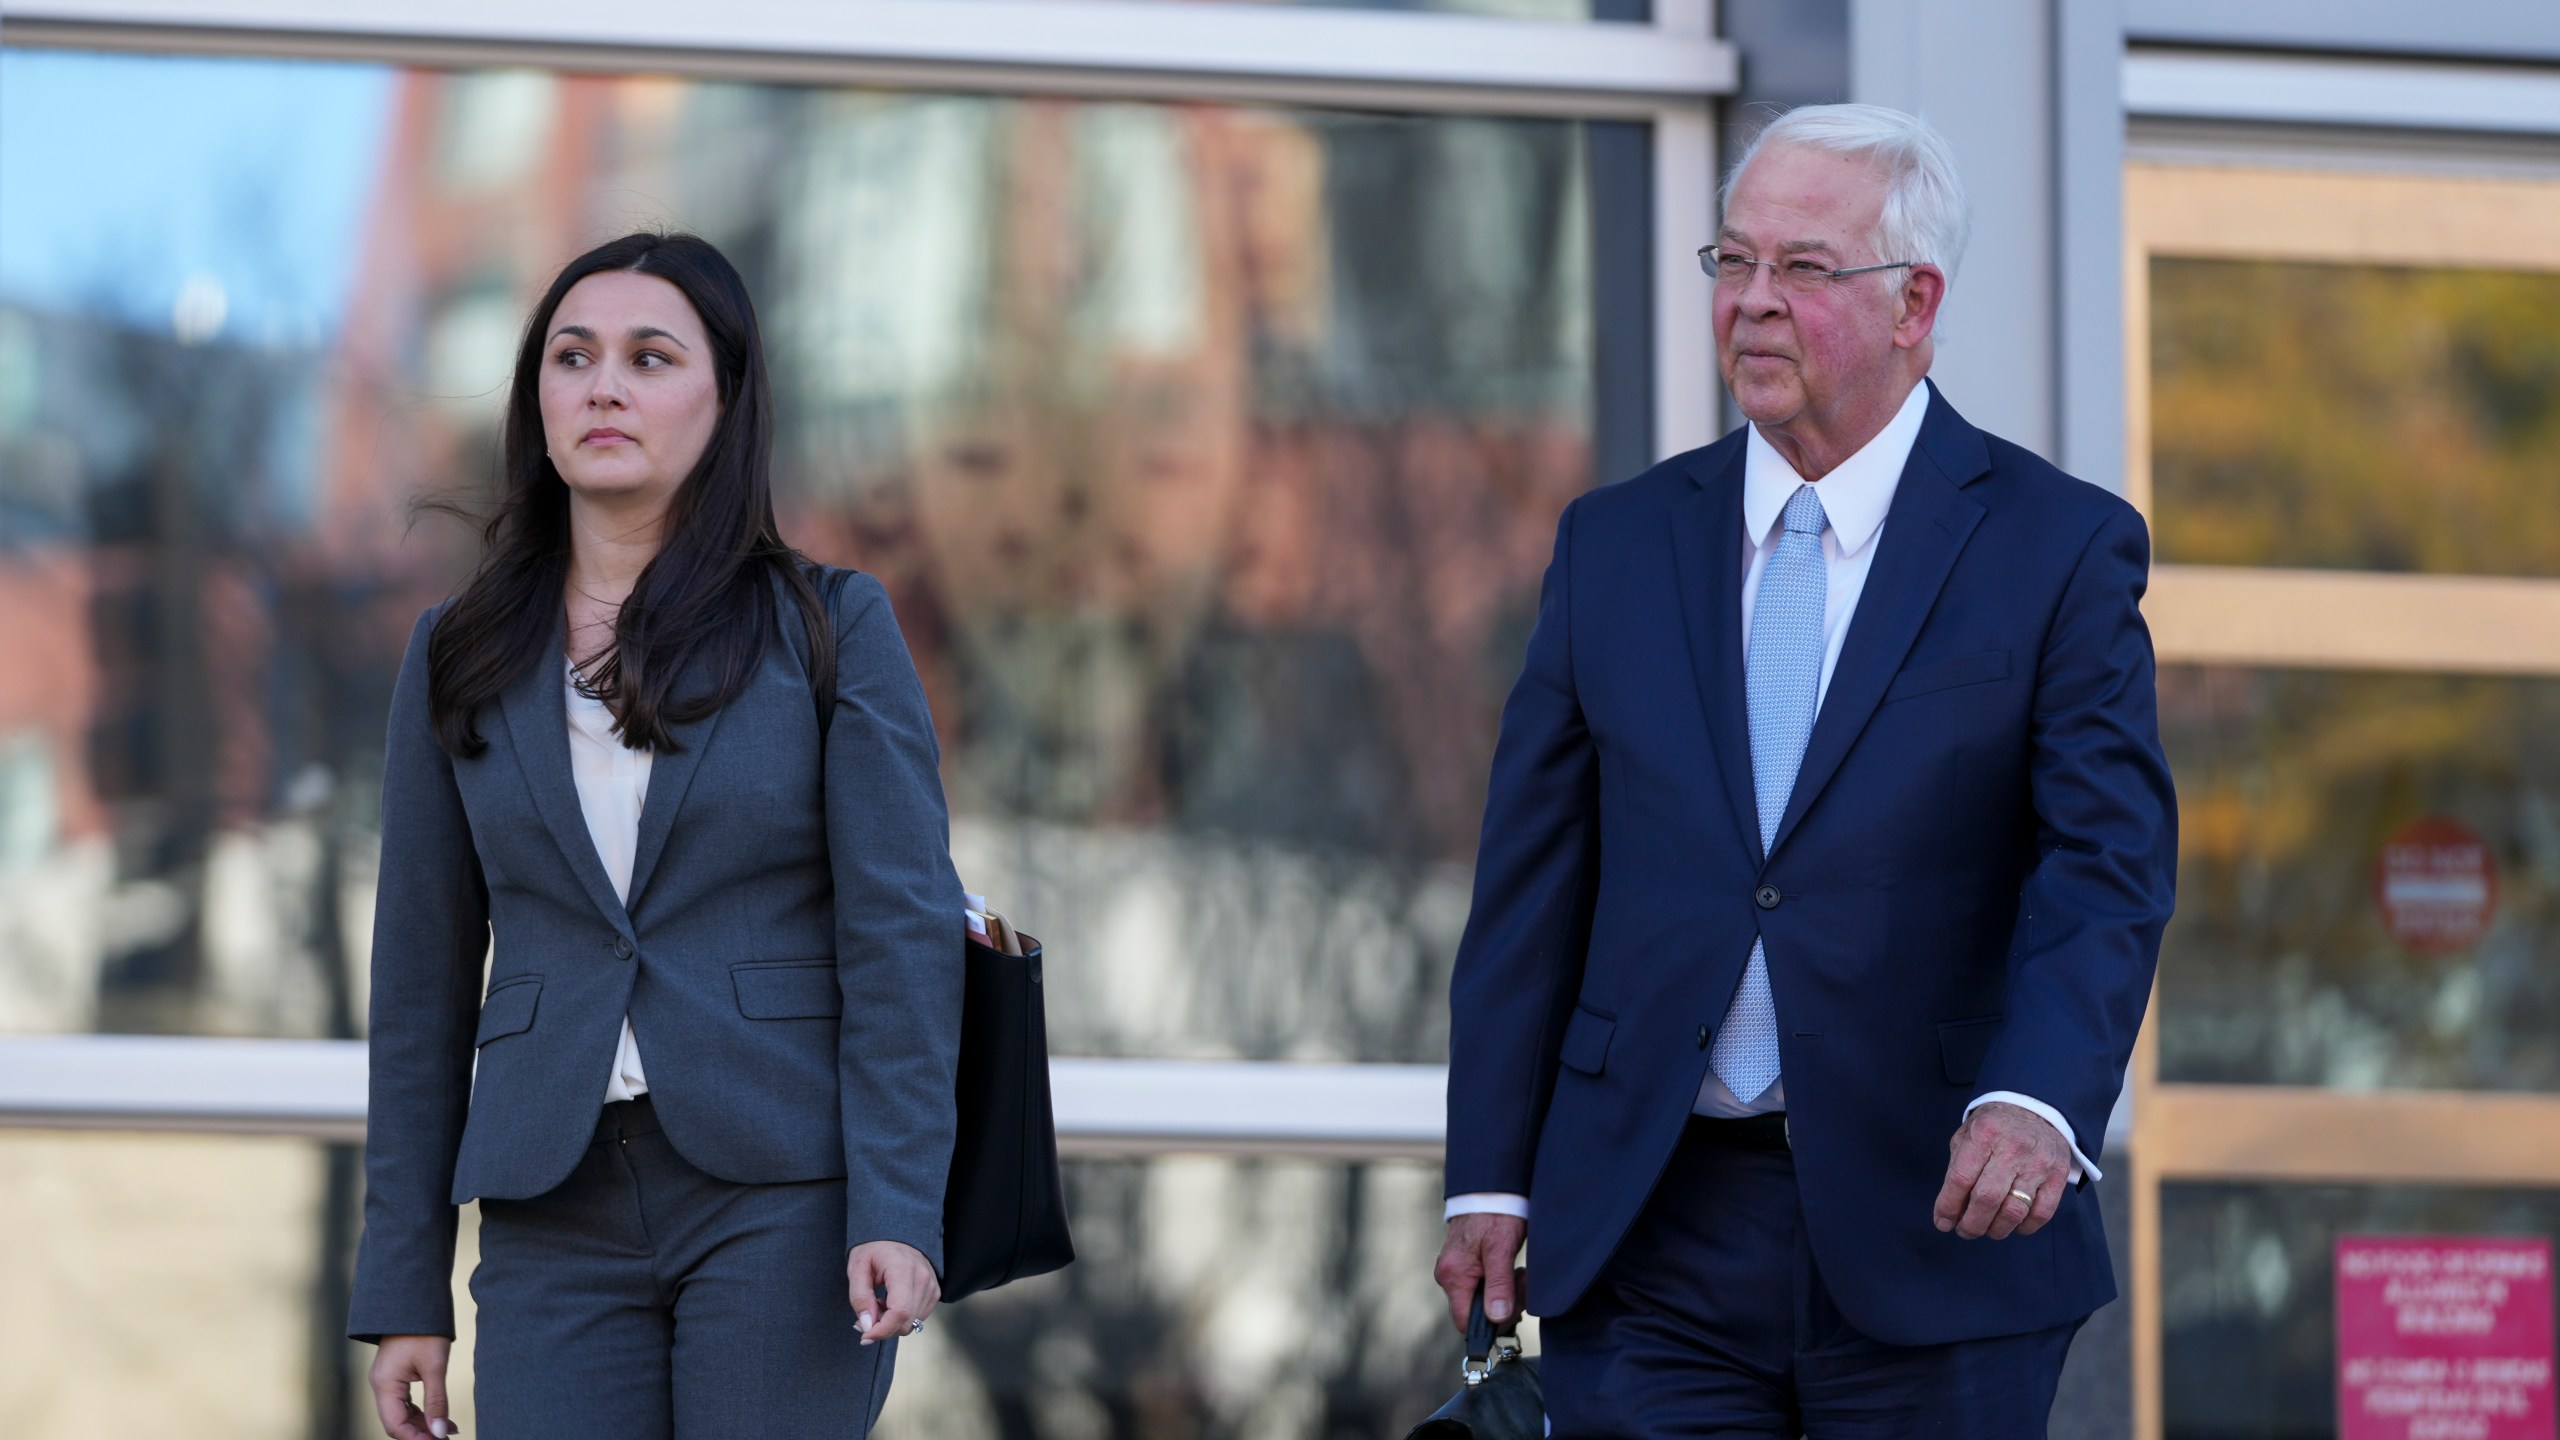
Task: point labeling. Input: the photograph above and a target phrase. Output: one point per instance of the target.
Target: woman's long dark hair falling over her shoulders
(703, 603)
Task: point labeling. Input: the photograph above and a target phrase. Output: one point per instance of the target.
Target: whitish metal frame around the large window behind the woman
(1665, 76)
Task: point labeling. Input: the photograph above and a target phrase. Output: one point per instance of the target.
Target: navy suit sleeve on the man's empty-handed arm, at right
(2108, 839)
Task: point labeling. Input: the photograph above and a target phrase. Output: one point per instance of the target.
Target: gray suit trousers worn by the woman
(646, 1300)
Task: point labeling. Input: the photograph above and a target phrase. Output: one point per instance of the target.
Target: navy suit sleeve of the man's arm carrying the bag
(1519, 965)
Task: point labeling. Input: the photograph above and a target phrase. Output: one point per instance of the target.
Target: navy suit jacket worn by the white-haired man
(1965, 896)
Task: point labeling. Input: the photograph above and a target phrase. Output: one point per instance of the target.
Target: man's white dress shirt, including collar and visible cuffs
(1857, 496)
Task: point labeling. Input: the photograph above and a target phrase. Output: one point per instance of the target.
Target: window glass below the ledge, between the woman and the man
(1210, 1298)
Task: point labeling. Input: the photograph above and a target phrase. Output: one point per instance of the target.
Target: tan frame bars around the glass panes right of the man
(2303, 619)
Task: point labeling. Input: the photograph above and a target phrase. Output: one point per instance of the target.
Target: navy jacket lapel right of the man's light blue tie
(1924, 532)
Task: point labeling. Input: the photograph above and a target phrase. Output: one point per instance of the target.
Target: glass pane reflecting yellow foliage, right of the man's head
(2351, 416)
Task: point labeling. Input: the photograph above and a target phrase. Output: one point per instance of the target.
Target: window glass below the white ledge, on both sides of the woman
(206, 1277)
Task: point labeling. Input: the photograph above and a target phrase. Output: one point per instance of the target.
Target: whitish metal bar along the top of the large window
(1069, 47)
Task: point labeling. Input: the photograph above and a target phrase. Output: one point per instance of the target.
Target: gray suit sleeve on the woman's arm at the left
(431, 939)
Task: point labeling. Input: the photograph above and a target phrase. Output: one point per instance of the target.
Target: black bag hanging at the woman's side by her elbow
(1005, 1213)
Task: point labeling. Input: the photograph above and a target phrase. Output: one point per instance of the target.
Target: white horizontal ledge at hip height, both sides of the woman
(1105, 1108)
